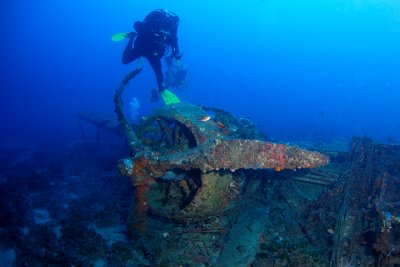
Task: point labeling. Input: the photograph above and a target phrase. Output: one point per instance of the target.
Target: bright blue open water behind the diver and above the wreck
(312, 69)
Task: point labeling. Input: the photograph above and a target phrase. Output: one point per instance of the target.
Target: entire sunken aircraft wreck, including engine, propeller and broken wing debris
(211, 190)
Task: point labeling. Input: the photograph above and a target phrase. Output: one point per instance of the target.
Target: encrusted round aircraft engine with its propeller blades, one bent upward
(192, 154)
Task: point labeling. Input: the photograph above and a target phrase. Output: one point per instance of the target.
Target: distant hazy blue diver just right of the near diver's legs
(176, 75)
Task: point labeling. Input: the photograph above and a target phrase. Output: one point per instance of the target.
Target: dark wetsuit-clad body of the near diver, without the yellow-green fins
(156, 34)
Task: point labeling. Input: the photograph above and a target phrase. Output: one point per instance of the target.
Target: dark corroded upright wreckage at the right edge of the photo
(368, 217)
